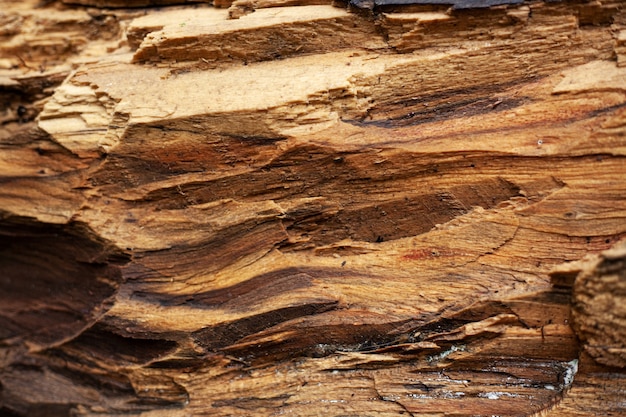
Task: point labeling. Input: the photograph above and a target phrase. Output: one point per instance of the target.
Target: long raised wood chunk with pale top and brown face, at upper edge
(210, 39)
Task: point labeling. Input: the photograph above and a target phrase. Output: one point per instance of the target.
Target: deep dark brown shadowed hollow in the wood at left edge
(54, 279)
